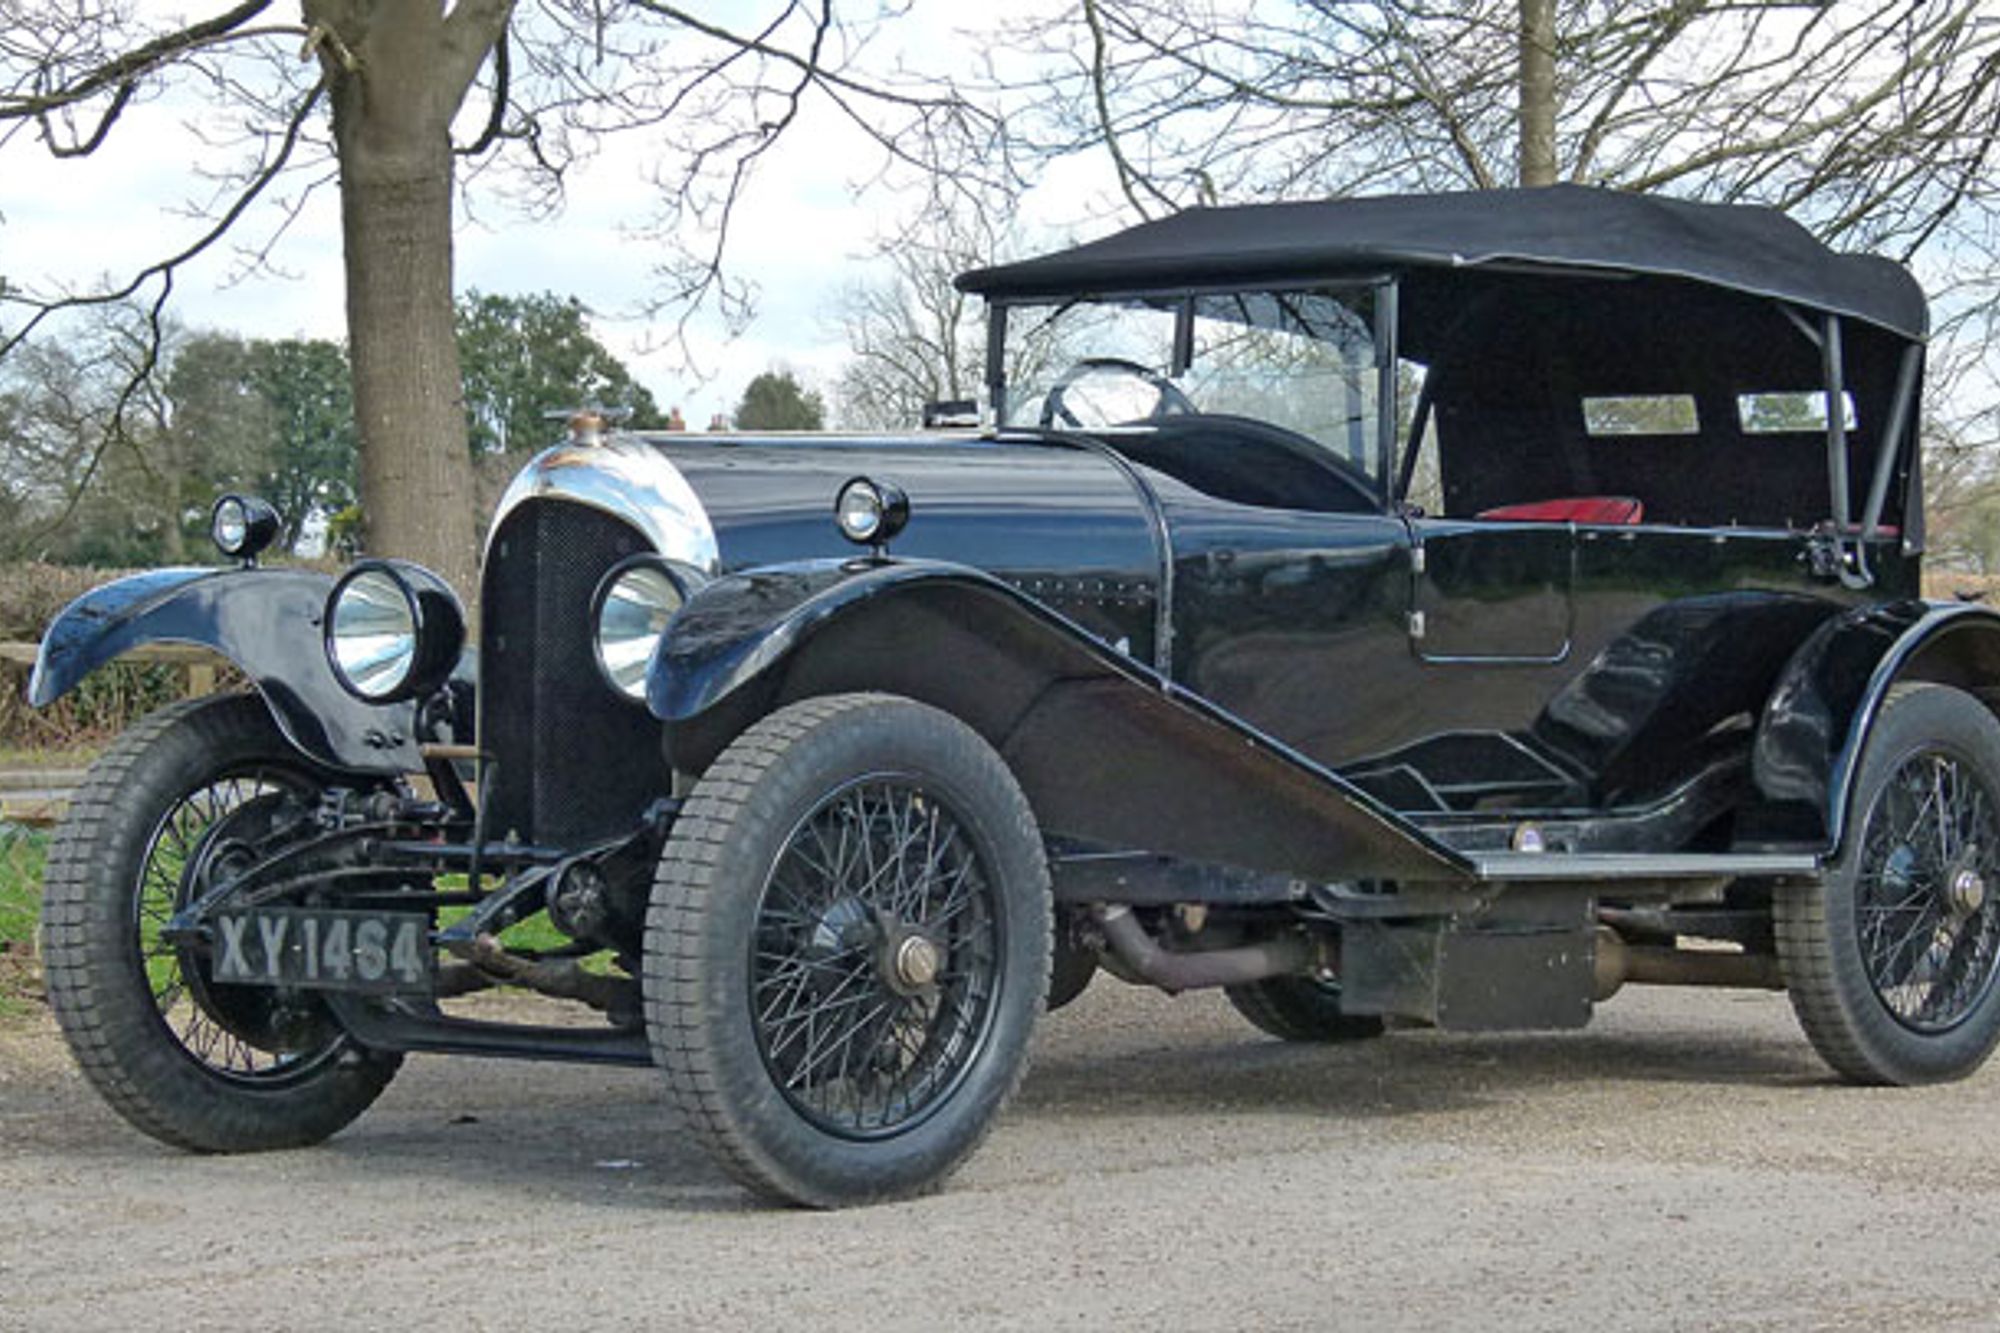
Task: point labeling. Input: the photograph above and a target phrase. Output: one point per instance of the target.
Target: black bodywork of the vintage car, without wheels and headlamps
(1223, 663)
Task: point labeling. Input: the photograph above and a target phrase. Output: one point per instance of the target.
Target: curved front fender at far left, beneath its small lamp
(267, 621)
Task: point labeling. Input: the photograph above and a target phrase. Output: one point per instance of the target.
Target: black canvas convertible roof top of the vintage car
(1731, 247)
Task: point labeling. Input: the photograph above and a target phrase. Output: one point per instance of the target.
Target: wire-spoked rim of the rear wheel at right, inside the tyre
(1927, 916)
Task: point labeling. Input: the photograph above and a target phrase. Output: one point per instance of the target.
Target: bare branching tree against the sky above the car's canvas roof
(1871, 121)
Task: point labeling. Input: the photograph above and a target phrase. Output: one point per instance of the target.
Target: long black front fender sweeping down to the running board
(1105, 750)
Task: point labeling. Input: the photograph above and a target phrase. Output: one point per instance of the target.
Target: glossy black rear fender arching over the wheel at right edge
(1811, 738)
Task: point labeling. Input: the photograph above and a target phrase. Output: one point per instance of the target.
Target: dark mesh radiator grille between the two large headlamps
(573, 758)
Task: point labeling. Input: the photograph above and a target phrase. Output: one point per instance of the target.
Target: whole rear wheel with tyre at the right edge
(1893, 958)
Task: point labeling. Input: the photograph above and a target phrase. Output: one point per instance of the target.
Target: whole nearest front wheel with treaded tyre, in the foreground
(763, 930)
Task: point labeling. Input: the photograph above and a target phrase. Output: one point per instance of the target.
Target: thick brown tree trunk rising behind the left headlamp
(393, 113)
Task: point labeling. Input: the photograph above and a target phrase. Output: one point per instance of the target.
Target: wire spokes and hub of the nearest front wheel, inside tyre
(875, 960)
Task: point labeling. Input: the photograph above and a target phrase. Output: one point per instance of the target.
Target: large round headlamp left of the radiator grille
(419, 617)
